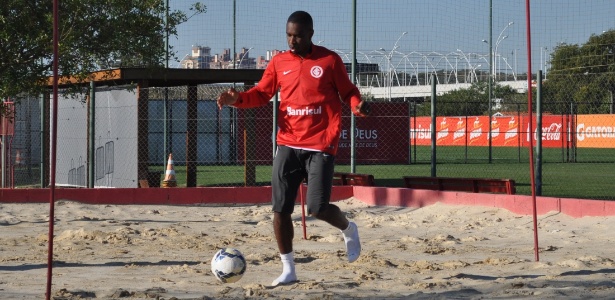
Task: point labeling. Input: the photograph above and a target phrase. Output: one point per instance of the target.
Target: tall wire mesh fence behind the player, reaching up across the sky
(479, 133)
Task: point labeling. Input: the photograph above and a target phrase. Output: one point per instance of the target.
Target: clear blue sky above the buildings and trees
(449, 28)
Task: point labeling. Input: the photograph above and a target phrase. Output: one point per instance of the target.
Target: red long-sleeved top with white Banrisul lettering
(311, 88)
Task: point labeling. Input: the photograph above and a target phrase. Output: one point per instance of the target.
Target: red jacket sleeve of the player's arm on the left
(262, 92)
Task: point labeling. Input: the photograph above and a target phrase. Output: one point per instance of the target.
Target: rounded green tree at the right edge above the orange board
(583, 75)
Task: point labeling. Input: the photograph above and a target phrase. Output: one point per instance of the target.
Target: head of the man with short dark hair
(299, 32)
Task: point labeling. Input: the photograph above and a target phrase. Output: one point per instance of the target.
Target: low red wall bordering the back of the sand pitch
(401, 197)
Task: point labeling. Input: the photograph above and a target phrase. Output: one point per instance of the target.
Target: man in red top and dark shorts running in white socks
(311, 79)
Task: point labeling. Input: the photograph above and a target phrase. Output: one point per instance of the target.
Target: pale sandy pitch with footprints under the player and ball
(434, 252)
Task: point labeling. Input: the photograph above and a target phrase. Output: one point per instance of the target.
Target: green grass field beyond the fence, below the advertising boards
(591, 177)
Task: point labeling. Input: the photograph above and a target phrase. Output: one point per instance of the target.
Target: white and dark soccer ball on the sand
(228, 265)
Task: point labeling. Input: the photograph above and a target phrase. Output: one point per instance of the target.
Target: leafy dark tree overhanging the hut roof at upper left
(93, 35)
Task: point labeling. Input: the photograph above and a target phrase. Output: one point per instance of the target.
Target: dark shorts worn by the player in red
(290, 167)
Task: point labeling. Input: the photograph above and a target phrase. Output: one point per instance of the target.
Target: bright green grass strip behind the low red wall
(567, 180)
